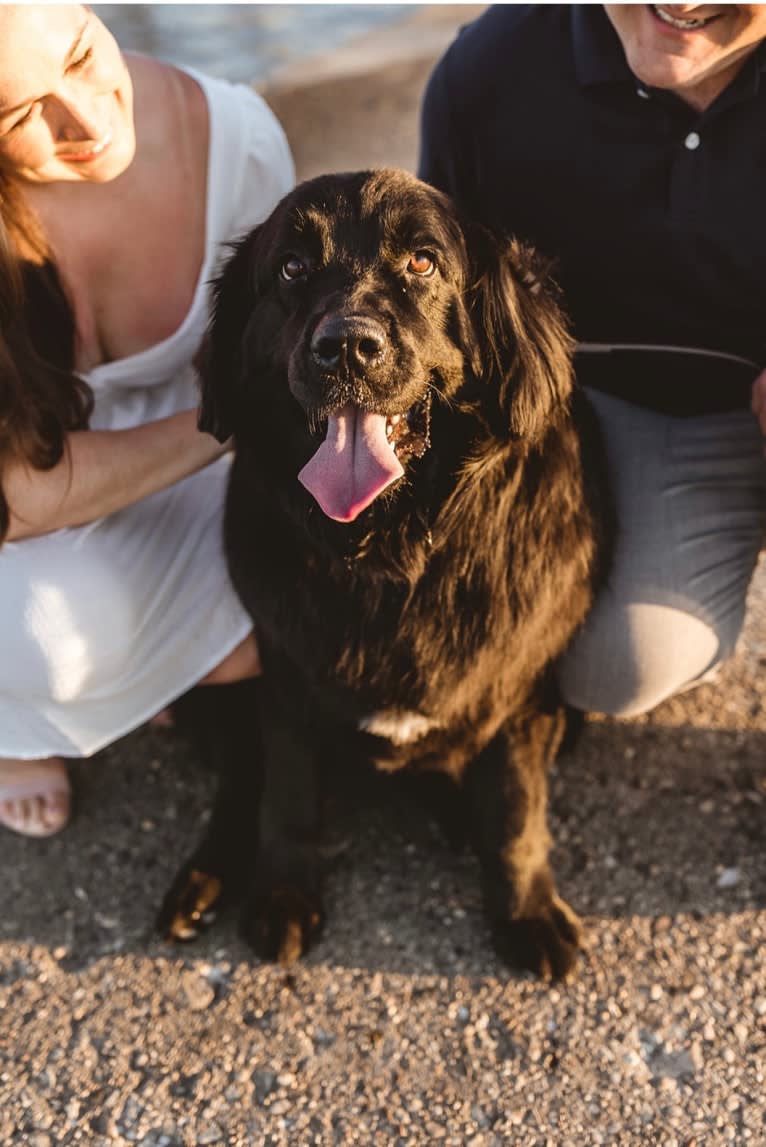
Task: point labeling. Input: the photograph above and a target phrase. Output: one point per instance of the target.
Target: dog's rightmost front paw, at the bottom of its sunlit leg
(544, 942)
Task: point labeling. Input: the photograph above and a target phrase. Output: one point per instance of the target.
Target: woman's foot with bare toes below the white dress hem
(35, 797)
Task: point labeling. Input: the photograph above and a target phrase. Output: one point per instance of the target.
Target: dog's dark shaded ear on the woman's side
(220, 360)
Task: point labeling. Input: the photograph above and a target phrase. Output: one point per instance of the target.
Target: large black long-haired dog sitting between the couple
(411, 528)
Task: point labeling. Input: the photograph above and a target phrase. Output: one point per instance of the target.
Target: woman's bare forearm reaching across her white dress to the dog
(105, 471)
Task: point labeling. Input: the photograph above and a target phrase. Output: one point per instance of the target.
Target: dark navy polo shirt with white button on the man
(655, 215)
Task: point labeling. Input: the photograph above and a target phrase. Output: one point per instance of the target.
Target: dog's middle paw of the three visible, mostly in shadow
(283, 925)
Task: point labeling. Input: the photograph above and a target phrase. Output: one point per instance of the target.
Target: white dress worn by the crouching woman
(104, 626)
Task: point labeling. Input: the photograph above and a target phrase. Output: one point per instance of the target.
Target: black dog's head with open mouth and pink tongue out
(353, 309)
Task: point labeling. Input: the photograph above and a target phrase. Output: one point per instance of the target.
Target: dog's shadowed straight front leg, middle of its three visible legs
(284, 915)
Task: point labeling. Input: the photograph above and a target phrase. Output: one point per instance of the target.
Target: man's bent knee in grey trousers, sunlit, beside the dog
(648, 654)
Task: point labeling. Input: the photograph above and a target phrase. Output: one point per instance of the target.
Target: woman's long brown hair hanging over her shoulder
(41, 396)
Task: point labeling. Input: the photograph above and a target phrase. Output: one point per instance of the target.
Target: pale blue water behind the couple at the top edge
(247, 42)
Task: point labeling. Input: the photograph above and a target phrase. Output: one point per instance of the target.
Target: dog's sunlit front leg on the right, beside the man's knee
(534, 928)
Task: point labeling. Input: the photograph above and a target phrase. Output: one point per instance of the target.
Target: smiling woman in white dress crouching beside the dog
(122, 180)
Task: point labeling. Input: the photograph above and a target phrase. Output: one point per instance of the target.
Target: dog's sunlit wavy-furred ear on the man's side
(525, 333)
